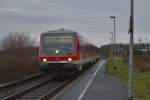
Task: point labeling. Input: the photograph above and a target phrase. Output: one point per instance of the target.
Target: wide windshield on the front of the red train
(58, 45)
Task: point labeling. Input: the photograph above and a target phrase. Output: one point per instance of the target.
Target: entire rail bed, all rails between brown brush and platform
(38, 89)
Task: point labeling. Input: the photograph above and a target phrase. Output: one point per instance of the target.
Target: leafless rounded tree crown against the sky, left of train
(15, 40)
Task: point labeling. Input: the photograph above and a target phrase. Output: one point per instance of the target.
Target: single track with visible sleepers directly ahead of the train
(39, 92)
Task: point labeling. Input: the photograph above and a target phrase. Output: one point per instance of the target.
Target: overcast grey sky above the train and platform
(88, 17)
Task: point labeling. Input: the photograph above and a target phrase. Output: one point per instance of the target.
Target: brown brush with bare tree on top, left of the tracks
(18, 57)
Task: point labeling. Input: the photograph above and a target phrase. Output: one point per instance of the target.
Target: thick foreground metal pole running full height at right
(131, 64)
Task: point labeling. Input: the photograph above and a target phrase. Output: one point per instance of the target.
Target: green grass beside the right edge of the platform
(141, 78)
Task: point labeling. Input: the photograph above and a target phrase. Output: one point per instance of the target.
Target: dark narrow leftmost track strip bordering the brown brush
(15, 87)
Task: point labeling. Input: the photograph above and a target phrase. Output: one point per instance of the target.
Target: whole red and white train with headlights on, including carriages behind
(65, 50)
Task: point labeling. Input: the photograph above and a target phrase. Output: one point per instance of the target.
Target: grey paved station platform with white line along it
(94, 84)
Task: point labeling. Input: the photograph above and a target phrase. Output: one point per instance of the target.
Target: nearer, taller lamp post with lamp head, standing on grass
(114, 46)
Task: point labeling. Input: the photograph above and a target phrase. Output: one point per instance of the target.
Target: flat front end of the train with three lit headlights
(58, 51)
